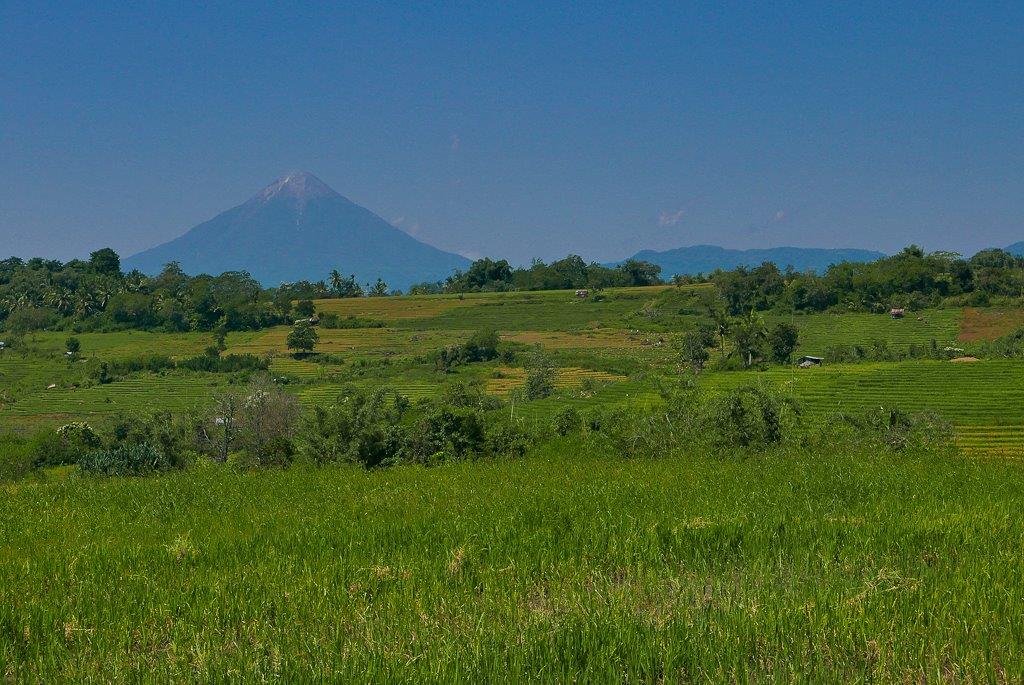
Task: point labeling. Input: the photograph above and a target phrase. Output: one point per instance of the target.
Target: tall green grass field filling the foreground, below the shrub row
(573, 566)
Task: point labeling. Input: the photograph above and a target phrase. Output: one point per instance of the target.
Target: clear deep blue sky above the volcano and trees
(521, 131)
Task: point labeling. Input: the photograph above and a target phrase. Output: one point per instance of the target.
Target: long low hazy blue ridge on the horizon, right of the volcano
(706, 259)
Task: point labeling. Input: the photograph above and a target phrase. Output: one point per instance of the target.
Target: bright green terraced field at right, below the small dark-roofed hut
(984, 401)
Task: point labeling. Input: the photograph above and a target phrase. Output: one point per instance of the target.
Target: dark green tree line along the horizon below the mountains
(97, 295)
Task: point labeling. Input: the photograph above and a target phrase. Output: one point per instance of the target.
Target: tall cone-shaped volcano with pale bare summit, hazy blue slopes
(301, 229)
